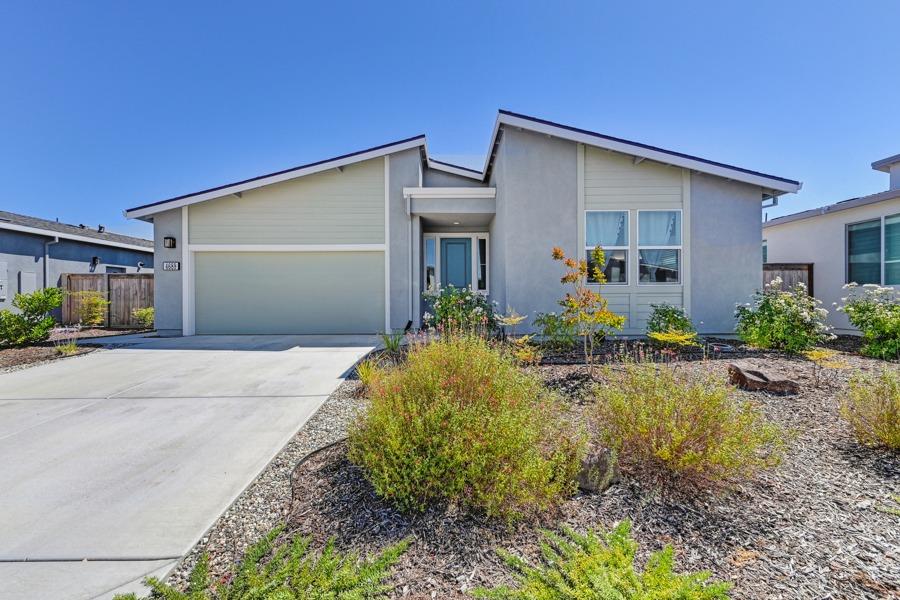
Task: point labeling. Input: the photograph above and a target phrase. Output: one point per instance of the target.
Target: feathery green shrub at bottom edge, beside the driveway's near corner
(290, 572)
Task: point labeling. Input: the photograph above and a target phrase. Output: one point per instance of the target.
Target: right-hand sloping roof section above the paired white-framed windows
(592, 138)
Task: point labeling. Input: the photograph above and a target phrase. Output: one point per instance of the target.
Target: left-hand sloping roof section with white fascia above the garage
(276, 177)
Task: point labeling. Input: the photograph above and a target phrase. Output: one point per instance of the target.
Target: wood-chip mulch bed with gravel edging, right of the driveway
(812, 528)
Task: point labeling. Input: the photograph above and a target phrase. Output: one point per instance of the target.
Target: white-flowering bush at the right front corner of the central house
(791, 321)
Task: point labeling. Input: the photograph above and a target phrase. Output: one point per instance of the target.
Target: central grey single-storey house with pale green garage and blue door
(348, 244)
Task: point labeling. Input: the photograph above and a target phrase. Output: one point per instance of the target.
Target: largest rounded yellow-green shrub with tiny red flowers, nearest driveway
(459, 422)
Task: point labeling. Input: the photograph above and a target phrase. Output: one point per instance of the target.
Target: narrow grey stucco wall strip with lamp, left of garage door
(167, 284)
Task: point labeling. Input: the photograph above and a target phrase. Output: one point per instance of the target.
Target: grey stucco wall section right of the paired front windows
(726, 255)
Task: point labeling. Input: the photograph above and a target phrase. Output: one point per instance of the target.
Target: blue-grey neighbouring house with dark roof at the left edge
(35, 252)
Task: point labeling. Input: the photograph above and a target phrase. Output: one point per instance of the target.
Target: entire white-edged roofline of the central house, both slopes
(770, 183)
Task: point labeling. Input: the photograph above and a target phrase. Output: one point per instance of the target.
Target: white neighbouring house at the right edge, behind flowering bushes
(855, 240)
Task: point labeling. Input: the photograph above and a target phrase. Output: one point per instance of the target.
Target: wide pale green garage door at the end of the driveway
(288, 292)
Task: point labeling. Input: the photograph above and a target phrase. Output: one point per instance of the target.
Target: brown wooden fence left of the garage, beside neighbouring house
(125, 292)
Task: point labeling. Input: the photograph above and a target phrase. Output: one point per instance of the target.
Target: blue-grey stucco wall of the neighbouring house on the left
(24, 252)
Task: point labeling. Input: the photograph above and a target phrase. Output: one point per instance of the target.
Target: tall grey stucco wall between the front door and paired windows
(537, 202)
